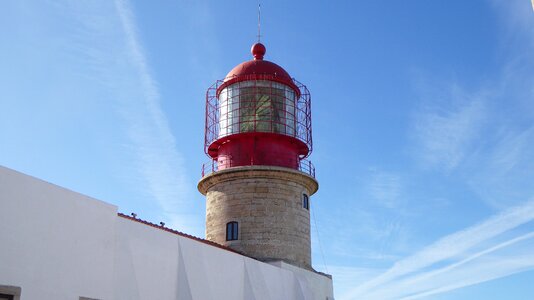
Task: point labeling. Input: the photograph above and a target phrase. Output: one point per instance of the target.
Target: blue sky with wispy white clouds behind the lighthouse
(423, 122)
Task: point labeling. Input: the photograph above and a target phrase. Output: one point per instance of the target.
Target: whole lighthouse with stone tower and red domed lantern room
(258, 182)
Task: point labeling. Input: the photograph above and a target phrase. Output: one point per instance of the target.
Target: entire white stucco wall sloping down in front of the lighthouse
(58, 244)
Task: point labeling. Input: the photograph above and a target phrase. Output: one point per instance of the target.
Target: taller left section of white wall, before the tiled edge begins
(55, 243)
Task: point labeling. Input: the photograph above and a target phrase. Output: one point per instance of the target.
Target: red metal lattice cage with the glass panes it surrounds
(258, 105)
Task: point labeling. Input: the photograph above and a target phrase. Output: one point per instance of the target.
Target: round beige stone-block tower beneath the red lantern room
(267, 204)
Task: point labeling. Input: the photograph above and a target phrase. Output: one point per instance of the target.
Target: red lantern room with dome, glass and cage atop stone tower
(258, 115)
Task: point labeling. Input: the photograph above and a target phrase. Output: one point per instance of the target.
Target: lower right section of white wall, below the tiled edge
(155, 264)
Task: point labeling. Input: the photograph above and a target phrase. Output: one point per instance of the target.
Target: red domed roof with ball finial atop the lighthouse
(258, 69)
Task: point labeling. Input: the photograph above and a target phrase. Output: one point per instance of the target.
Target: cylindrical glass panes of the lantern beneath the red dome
(257, 106)
